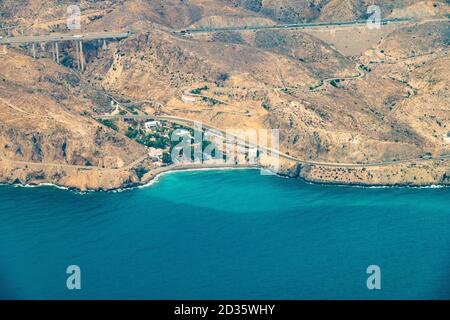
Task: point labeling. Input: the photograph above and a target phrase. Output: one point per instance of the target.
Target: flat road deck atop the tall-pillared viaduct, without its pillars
(64, 37)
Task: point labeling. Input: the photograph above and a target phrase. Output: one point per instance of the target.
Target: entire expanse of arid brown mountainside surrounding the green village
(387, 104)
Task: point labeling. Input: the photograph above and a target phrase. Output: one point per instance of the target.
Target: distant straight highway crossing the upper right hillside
(290, 26)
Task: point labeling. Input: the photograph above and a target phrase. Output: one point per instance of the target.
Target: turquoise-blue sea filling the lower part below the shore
(225, 235)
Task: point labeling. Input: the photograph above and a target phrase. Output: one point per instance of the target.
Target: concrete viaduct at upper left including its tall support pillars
(55, 39)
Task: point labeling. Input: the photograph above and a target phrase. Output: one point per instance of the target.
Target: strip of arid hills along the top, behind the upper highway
(177, 14)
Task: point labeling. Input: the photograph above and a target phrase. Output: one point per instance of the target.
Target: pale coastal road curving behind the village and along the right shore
(191, 123)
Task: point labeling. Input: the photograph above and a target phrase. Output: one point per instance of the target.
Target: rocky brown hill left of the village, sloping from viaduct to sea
(45, 119)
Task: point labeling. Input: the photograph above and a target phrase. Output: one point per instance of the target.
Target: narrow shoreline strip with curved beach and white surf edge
(152, 178)
